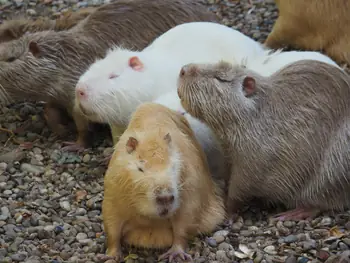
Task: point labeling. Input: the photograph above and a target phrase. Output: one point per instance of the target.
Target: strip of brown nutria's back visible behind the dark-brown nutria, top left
(18, 26)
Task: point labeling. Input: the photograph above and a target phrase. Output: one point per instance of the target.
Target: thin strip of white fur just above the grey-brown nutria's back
(271, 61)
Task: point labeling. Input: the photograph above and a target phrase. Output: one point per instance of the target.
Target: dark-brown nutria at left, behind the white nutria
(46, 65)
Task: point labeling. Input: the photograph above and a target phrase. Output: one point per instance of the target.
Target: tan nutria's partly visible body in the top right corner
(319, 25)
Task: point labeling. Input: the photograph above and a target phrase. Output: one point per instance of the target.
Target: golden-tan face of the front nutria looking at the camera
(152, 166)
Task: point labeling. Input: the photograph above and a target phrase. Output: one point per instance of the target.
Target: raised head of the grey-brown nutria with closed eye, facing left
(207, 91)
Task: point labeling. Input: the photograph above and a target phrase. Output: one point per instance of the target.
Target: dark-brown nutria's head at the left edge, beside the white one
(42, 66)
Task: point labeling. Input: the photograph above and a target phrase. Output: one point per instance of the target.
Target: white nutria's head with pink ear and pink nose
(112, 87)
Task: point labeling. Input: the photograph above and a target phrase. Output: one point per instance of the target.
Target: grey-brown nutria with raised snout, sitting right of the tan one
(286, 135)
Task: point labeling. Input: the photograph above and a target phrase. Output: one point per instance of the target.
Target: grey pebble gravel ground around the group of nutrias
(50, 200)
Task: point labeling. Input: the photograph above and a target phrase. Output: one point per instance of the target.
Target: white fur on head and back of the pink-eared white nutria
(114, 100)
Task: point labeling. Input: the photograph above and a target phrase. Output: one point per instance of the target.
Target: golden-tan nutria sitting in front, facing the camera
(157, 189)
